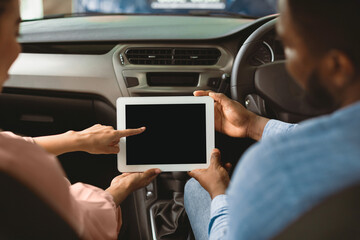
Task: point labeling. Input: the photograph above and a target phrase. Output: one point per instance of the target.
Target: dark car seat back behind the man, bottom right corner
(338, 217)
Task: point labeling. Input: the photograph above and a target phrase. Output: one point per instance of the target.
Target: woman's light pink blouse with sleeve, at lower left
(89, 210)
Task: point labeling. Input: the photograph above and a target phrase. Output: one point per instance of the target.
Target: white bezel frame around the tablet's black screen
(210, 131)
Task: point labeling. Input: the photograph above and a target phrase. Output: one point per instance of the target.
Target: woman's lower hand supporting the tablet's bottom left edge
(124, 184)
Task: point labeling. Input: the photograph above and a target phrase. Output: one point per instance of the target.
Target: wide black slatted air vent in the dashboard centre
(173, 56)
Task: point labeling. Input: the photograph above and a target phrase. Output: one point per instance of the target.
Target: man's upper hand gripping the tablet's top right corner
(233, 119)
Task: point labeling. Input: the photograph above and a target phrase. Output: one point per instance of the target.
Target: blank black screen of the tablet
(175, 134)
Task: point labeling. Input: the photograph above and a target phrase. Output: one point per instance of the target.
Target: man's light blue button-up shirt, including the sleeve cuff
(292, 168)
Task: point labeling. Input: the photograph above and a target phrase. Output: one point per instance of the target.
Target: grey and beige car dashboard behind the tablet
(115, 56)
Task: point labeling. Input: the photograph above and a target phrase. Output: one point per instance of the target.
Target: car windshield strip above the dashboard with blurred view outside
(37, 9)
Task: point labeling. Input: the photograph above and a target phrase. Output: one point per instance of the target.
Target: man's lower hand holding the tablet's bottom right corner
(214, 179)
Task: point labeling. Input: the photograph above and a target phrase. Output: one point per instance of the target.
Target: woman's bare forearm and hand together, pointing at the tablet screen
(97, 139)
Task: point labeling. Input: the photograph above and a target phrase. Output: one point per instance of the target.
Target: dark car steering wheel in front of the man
(267, 85)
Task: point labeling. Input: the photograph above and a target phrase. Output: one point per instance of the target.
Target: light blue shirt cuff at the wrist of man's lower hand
(218, 218)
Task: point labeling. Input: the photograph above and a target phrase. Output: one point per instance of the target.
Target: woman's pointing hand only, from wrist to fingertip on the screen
(100, 139)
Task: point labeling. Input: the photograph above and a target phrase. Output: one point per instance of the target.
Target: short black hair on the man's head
(330, 24)
